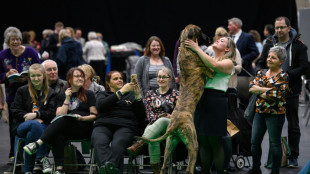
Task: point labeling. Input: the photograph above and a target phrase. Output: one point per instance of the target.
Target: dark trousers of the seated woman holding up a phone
(110, 144)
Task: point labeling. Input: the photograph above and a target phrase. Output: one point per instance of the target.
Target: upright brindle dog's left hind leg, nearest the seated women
(171, 143)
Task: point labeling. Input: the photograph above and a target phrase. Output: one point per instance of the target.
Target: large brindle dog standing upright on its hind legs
(193, 79)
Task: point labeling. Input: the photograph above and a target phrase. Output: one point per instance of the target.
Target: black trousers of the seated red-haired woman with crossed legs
(63, 129)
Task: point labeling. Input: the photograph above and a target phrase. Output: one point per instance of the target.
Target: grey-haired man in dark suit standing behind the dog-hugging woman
(248, 50)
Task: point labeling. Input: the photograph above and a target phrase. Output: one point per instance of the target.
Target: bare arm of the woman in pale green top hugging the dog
(224, 66)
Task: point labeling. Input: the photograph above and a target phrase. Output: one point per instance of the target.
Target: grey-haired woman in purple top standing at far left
(15, 59)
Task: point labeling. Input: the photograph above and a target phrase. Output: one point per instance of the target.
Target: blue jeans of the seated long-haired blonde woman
(31, 131)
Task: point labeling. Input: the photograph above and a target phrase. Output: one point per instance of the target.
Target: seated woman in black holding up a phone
(120, 108)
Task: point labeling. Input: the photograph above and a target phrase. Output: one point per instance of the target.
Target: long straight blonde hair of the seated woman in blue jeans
(32, 90)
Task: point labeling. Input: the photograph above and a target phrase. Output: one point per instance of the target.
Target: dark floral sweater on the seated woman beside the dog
(153, 102)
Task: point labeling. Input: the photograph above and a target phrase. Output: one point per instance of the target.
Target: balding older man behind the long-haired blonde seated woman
(54, 81)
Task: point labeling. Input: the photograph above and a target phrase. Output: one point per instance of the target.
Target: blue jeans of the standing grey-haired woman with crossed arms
(273, 124)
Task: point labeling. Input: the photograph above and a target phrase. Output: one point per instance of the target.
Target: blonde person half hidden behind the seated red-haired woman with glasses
(91, 79)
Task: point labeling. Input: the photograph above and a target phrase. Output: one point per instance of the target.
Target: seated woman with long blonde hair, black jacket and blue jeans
(33, 108)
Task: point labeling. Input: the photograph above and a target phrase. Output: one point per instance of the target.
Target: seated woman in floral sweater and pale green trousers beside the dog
(159, 105)
